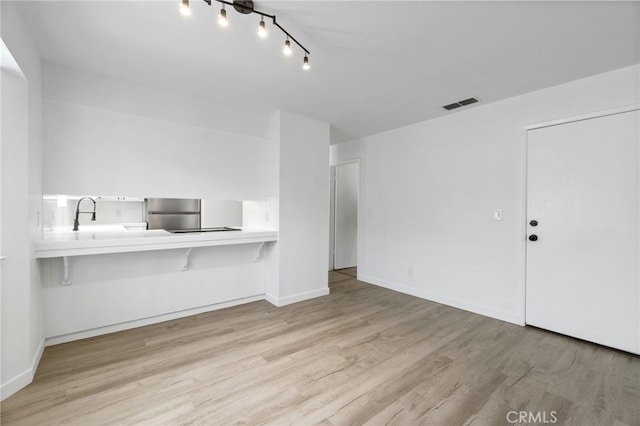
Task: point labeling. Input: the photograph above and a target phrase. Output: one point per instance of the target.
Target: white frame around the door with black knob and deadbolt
(525, 173)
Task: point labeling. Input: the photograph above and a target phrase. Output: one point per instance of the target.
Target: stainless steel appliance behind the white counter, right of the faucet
(173, 214)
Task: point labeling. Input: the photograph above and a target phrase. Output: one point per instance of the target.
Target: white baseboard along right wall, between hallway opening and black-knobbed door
(445, 300)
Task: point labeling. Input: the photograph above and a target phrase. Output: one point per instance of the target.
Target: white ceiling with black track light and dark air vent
(376, 65)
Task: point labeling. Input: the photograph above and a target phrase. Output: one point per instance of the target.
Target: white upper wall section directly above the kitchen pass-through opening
(109, 137)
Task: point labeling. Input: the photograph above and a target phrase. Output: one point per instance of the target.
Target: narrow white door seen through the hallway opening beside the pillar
(346, 215)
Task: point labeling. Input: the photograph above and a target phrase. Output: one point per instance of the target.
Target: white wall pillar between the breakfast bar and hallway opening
(300, 150)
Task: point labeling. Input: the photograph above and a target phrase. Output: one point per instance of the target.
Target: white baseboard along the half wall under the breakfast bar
(55, 340)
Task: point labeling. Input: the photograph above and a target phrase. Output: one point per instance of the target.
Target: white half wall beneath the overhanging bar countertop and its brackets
(124, 290)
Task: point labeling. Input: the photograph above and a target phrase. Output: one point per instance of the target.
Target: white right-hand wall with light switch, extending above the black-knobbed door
(428, 192)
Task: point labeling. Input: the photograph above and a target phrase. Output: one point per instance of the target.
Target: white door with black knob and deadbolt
(583, 190)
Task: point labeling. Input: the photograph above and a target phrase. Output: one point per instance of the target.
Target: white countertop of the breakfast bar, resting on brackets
(101, 239)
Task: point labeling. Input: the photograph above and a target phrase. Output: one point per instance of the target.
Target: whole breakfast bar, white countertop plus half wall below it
(106, 278)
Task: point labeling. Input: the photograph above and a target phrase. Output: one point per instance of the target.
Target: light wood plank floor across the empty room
(363, 354)
